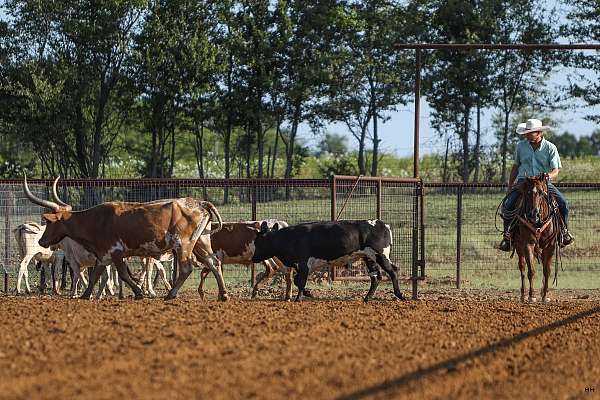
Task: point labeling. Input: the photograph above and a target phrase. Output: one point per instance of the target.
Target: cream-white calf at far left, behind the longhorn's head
(27, 236)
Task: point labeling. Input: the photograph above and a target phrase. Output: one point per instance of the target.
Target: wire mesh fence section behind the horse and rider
(462, 231)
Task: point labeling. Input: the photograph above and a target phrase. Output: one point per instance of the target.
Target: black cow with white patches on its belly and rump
(309, 244)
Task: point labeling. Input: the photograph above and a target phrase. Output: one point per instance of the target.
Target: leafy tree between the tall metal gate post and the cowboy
(458, 81)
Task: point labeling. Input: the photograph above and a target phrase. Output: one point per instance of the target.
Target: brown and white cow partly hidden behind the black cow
(234, 244)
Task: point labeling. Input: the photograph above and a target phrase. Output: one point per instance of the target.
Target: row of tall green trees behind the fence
(83, 84)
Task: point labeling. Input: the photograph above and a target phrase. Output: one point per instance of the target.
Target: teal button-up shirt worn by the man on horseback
(534, 162)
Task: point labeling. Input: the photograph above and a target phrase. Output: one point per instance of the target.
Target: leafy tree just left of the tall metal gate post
(370, 76)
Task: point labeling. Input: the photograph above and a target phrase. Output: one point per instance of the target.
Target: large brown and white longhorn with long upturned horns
(115, 230)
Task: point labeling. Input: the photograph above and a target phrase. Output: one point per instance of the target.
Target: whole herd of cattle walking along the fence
(191, 233)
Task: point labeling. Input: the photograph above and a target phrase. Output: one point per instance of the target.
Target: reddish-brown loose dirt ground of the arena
(450, 344)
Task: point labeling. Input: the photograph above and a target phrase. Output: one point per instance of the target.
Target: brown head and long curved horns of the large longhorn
(56, 229)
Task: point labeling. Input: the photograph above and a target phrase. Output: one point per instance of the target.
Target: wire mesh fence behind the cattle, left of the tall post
(293, 201)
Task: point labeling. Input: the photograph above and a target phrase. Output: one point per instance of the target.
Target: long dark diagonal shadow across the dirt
(453, 362)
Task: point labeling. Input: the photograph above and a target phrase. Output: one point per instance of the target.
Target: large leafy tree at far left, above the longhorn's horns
(69, 89)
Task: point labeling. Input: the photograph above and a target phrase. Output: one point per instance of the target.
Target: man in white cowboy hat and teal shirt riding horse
(534, 156)
